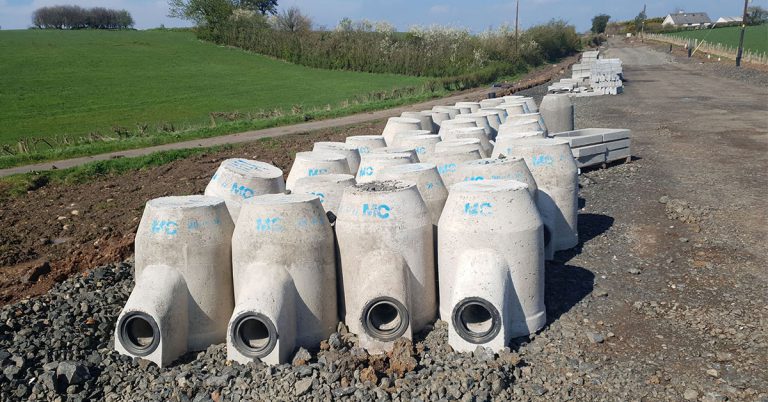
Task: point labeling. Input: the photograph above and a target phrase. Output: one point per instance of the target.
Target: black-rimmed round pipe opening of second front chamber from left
(254, 335)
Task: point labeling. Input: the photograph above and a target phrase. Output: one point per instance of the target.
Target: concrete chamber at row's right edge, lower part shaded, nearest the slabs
(553, 167)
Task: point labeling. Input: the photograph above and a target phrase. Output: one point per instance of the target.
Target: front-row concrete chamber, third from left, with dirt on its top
(385, 238)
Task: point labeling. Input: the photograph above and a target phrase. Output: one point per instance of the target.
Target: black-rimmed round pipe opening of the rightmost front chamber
(476, 320)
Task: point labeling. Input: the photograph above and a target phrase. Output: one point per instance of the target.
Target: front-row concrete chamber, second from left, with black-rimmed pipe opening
(284, 267)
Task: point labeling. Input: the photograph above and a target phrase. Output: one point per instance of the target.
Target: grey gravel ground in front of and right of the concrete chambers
(664, 299)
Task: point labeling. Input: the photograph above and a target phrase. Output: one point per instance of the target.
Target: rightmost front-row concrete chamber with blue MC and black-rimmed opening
(487, 228)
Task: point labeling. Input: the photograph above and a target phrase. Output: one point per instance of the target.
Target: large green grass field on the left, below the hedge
(71, 83)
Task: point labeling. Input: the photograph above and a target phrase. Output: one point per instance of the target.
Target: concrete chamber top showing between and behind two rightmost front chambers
(427, 181)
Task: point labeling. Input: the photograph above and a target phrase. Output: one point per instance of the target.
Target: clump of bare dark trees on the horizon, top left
(76, 17)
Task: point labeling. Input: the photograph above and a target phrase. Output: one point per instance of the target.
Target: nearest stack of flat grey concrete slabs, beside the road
(598, 146)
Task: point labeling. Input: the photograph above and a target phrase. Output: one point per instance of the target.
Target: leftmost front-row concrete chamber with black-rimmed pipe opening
(182, 299)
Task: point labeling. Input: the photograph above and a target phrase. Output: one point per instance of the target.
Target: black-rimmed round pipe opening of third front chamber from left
(385, 319)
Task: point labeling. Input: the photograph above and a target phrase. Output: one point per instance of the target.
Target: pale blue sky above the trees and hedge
(476, 15)
